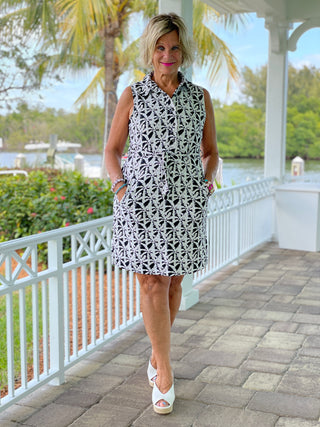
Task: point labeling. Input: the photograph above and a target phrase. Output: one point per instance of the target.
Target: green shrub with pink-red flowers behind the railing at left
(50, 199)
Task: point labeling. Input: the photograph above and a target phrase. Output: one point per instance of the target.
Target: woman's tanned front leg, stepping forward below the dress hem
(155, 307)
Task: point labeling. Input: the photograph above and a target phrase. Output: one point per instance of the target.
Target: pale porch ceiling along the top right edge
(284, 10)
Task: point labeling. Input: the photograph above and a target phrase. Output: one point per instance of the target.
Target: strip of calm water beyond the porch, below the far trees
(235, 171)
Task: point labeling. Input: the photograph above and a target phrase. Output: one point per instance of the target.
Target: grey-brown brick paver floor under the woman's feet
(248, 354)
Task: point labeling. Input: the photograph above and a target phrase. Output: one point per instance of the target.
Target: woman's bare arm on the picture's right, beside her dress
(210, 155)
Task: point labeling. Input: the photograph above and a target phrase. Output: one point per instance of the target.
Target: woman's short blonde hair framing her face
(157, 27)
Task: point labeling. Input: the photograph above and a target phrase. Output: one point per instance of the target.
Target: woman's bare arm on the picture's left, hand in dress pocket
(117, 139)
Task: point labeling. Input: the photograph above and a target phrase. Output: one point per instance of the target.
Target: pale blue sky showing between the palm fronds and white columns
(249, 45)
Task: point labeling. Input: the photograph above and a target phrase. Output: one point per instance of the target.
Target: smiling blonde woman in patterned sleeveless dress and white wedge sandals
(161, 192)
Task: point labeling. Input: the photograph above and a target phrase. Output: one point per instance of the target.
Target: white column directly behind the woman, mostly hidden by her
(183, 8)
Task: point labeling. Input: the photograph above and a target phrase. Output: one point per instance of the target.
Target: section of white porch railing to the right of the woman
(240, 218)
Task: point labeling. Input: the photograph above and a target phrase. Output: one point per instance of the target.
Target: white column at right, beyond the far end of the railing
(276, 100)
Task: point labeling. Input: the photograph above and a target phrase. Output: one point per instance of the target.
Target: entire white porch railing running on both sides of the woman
(60, 310)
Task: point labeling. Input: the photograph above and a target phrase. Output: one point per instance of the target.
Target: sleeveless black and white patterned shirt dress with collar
(159, 226)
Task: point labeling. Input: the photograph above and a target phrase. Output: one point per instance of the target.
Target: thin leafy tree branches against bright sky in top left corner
(21, 70)
